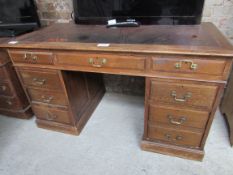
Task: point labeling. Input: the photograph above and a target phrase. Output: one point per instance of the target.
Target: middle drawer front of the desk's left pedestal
(48, 97)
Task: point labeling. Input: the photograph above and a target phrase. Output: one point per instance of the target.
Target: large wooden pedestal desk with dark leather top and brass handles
(186, 69)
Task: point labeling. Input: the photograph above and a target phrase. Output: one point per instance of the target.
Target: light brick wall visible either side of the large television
(220, 12)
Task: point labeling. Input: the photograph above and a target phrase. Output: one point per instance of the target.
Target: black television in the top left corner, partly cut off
(17, 17)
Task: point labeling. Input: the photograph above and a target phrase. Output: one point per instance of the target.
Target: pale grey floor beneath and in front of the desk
(108, 145)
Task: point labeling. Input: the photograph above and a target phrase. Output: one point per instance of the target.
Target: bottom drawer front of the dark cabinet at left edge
(10, 103)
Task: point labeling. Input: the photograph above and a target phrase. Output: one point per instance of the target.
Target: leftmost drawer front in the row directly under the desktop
(31, 57)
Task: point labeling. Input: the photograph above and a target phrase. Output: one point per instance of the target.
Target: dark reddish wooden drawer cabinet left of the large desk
(13, 101)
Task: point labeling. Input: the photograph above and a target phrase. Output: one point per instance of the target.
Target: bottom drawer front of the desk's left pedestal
(51, 114)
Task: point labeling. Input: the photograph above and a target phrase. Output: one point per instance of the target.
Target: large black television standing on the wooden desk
(143, 11)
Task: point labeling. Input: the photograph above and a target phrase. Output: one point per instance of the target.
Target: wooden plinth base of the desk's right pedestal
(172, 150)
